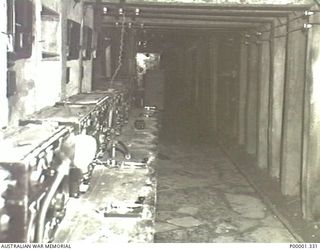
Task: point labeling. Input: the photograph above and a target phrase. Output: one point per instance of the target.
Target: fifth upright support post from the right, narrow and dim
(251, 130)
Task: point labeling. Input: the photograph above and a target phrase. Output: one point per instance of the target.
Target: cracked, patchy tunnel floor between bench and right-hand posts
(202, 197)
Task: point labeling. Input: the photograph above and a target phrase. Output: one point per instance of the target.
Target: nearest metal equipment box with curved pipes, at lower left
(33, 179)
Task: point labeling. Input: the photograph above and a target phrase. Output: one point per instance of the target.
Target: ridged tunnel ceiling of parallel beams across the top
(199, 17)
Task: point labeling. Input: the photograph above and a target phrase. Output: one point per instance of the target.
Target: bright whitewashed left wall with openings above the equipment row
(40, 81)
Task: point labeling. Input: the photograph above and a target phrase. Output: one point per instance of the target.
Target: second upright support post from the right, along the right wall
(293, 109)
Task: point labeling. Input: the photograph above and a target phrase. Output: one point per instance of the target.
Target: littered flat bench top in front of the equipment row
(120, 204)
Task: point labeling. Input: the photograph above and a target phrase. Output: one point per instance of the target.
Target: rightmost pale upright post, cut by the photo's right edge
(311, 135)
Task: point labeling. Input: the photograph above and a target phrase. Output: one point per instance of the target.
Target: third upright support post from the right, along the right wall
(277, 79)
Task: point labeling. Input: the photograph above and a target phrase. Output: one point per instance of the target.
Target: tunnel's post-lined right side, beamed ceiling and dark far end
(240, 75)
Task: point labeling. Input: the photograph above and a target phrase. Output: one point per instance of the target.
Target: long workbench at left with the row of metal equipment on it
(41, 195)
